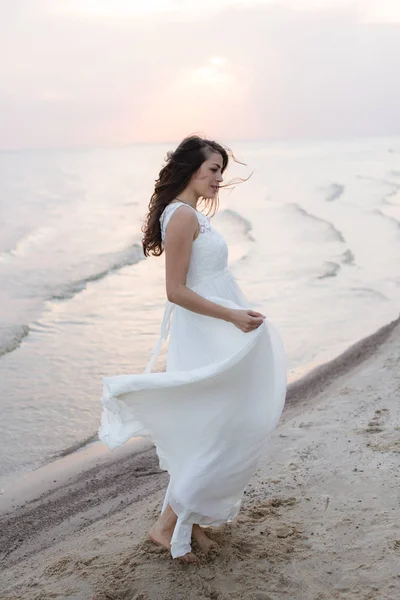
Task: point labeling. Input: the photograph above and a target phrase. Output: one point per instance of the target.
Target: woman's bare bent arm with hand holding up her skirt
(180, 233)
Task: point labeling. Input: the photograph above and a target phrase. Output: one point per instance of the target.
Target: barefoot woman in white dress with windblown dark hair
(210, 413)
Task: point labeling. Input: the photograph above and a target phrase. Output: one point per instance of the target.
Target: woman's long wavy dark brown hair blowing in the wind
(173, 178)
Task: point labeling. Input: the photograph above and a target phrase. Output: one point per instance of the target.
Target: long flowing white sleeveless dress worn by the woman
(211, 412)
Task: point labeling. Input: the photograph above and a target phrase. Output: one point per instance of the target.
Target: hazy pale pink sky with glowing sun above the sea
(113, 72)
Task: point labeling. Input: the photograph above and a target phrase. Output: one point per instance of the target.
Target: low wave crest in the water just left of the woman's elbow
(116, 261)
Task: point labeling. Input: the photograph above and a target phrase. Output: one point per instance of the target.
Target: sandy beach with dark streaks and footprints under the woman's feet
(320, 519)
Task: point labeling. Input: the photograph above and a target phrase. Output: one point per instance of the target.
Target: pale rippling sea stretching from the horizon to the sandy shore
(314, 241)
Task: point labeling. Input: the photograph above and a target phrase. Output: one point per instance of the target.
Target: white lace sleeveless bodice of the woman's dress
(209, 255)
